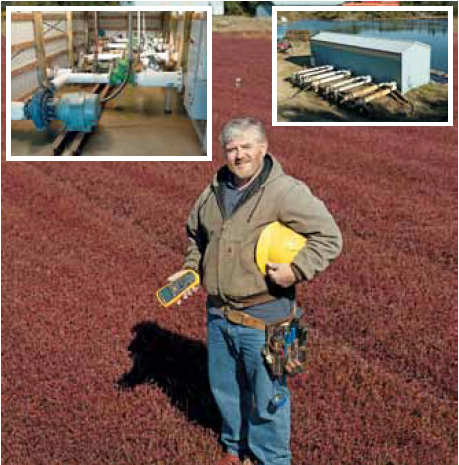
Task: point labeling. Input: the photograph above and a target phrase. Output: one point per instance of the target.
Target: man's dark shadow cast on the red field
(176, 364)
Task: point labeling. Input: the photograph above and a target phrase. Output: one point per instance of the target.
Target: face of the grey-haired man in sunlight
(244, 156)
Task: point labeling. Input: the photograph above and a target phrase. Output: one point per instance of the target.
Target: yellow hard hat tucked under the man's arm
(278, 244)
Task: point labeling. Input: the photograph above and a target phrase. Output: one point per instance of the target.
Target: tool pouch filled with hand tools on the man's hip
(285, 347)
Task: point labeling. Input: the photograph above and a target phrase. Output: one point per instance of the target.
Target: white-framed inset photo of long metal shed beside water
(362, 66)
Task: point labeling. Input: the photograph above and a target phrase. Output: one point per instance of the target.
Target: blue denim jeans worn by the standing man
(244, 391)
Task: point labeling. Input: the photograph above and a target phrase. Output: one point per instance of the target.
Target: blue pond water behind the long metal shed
(430, 31)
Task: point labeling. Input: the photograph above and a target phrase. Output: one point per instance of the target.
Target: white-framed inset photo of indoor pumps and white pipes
(129, 83)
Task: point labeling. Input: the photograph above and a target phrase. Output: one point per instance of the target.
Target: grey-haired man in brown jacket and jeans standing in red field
(248, 193)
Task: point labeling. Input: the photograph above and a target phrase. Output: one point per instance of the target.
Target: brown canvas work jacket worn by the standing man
(223, 251)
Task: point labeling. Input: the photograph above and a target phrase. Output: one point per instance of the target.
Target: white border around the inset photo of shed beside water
(448, 9)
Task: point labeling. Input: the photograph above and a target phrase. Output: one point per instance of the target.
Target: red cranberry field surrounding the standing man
(95, 372)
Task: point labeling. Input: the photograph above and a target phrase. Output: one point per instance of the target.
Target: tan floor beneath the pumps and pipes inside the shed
(133, 124)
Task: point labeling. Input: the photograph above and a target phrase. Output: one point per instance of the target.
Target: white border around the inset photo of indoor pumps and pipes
(206, 157)
